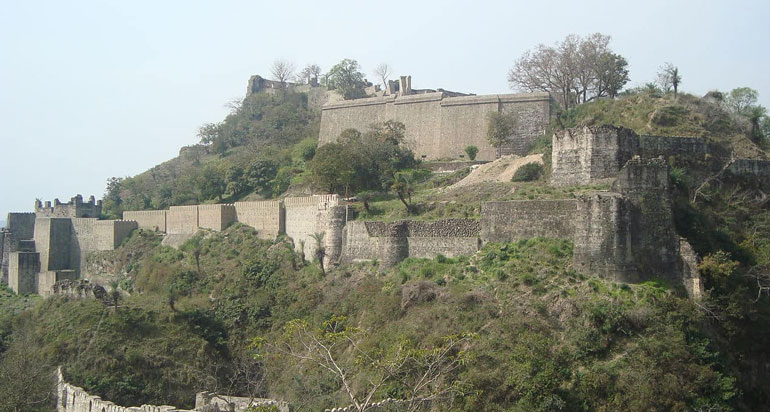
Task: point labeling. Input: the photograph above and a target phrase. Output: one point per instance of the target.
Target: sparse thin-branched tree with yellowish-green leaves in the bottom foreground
(426, 375)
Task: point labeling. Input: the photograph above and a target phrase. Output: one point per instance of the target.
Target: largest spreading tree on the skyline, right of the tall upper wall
(575, 70)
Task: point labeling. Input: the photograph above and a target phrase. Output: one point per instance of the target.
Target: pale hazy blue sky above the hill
(95, 89)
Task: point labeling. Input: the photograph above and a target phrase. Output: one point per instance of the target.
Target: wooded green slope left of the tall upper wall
(260, 147)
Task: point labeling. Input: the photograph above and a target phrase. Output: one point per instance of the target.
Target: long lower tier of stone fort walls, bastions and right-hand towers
(625, 233)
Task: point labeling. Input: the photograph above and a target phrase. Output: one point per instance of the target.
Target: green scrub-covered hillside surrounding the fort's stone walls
(223, 311)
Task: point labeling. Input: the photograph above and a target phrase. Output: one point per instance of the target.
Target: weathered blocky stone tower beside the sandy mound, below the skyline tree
(584, 155)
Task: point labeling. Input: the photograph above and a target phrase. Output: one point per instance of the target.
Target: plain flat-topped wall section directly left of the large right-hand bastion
(523, 219)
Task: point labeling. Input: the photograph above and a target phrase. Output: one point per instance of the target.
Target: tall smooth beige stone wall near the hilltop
(438, 126)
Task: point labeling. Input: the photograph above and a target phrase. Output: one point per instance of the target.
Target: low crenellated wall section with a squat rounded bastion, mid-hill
(393, 242)
